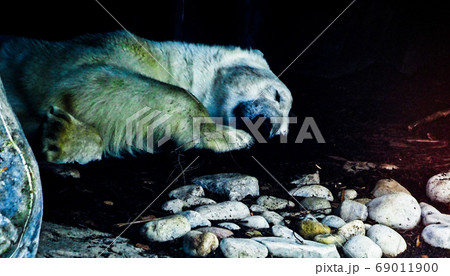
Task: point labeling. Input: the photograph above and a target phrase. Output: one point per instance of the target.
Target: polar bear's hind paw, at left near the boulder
(66, 139)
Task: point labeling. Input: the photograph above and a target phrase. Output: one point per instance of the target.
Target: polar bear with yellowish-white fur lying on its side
(83, 91)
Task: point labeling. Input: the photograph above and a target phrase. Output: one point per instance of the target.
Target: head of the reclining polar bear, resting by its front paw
(248, 88)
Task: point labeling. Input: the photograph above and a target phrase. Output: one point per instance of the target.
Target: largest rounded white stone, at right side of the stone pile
(398, 211)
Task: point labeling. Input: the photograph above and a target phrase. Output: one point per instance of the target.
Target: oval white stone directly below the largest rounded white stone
(390, 242)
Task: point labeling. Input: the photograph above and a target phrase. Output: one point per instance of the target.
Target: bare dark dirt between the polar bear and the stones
(362, 116)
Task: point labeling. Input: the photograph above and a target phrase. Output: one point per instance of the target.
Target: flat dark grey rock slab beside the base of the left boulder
(59, 241)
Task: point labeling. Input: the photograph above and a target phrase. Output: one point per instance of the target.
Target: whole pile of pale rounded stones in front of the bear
(303, 224)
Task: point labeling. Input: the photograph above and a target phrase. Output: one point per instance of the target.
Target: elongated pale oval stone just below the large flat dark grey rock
(227, 210)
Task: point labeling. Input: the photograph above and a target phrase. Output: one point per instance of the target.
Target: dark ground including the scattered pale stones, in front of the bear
(369, 128)
